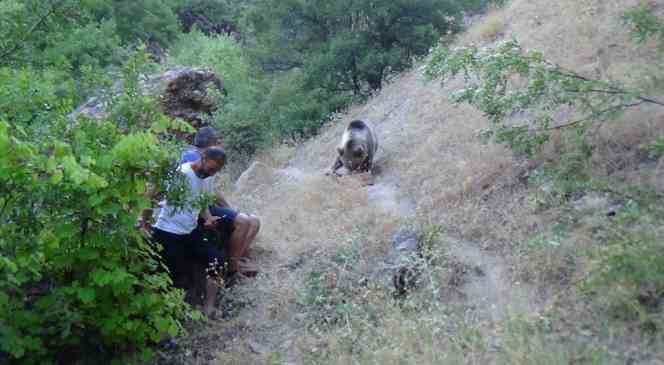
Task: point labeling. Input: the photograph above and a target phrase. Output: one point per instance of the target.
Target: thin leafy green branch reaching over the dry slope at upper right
(520, 92)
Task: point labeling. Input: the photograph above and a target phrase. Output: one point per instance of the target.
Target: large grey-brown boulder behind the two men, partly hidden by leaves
(183, 92)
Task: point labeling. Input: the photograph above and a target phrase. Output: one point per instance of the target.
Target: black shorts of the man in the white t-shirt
(182, 249)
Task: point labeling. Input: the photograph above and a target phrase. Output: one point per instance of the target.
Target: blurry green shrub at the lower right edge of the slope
(628, 271)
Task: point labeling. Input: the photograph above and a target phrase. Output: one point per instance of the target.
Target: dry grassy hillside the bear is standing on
(504, 270)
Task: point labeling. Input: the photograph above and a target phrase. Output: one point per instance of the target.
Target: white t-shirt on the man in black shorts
(185, 219)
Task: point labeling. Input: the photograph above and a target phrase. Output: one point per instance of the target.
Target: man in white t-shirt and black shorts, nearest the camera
(177, 229)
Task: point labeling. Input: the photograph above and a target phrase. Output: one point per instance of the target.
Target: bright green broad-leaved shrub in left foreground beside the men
(76, 277)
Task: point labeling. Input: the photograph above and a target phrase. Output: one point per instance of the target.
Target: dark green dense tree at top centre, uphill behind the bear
(349, 46)
